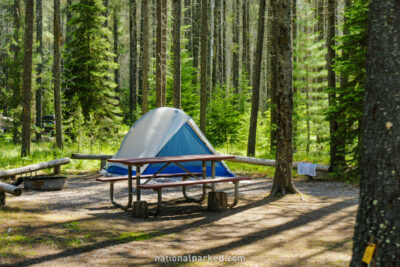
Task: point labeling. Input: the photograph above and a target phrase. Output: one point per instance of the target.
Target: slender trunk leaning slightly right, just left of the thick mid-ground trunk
(255, 99)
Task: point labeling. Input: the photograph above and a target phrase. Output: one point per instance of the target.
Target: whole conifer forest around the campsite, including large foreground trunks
(292, 81)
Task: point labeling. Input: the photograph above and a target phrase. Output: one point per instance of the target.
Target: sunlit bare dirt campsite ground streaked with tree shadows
(79, 227)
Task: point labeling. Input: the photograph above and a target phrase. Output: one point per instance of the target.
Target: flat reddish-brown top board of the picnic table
(150, 160)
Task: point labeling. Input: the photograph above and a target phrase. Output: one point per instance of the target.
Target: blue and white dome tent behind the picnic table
(164, 132)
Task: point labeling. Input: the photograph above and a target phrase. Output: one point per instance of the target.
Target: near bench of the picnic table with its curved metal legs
(159, 186)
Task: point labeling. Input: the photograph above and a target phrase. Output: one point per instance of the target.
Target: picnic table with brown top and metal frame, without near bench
(140, 162)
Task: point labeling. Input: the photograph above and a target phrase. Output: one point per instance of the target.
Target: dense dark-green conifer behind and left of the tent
(87, 63)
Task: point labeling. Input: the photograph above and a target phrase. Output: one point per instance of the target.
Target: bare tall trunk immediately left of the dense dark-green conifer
(57, 72)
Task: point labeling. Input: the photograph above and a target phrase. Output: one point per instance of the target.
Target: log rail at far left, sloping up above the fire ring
(36, 167)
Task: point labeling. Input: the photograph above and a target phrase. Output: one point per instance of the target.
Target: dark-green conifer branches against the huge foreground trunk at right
(348, 111)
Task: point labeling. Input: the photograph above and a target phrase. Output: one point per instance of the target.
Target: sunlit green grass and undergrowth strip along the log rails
(46, 151)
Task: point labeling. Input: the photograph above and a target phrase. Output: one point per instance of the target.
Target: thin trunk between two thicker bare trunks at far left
(39, 67)
